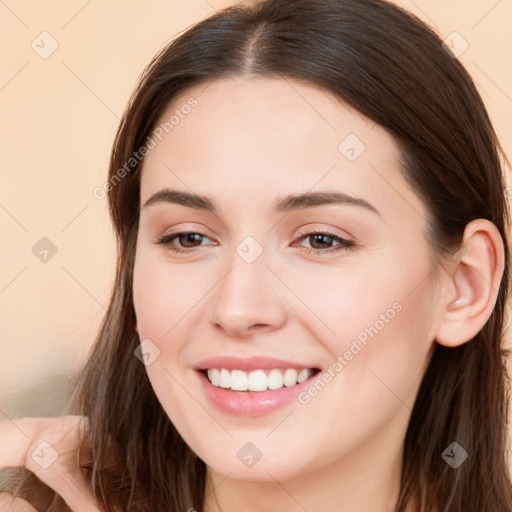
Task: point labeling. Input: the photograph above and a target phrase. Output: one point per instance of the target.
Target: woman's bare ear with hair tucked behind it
(471, 288)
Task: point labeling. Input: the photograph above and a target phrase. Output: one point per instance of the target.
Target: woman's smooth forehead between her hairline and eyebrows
(262, 137)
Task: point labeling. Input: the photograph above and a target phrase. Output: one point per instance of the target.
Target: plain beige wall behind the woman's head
(59, 116)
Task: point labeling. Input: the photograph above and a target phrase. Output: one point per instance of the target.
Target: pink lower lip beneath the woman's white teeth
(251, 403)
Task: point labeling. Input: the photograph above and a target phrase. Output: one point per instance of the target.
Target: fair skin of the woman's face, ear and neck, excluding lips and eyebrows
(247, 142)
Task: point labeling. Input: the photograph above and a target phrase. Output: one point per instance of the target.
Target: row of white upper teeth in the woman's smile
(257, 380)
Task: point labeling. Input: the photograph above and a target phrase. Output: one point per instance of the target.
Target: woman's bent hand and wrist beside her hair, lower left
(48, 447)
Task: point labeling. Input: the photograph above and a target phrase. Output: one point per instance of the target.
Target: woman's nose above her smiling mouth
(249, 299)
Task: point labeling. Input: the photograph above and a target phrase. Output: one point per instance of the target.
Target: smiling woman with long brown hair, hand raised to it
(311, 283)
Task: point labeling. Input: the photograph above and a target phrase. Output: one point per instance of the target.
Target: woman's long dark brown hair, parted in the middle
(391, 67)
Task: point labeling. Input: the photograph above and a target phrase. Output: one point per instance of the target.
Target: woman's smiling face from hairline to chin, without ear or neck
(356, 301)
